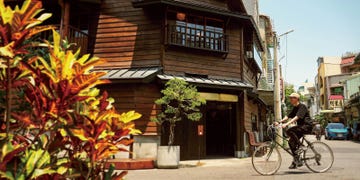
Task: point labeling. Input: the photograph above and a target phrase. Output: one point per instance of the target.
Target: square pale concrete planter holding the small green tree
(168, 157)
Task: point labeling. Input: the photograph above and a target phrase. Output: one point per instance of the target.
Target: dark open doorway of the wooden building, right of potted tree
(220, 129)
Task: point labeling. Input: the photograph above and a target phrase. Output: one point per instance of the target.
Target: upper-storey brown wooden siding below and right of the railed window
(204, 63)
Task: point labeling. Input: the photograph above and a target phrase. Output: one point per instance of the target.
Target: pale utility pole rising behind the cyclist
(277, 98)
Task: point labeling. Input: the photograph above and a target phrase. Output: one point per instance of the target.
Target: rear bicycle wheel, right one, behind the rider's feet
(318, 157)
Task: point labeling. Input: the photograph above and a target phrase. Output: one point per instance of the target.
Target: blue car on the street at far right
(336, 131)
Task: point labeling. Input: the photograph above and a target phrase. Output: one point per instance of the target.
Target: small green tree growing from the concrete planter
(179, 101)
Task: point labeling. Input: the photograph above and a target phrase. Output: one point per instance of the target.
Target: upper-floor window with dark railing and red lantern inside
(196, 31)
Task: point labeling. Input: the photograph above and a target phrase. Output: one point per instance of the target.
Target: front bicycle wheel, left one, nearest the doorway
(266, 159)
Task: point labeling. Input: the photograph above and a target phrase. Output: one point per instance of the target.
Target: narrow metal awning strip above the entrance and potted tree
(209, 82)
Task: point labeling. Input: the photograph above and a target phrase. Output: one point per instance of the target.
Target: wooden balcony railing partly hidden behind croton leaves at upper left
(77, 37)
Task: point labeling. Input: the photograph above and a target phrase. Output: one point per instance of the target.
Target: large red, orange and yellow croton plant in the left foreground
(55, 123)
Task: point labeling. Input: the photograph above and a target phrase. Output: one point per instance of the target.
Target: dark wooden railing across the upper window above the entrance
(197, 38)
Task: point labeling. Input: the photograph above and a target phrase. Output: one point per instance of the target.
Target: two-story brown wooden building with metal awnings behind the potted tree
(209, 43)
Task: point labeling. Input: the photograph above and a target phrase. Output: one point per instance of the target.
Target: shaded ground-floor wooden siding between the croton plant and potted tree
(138, 97)
